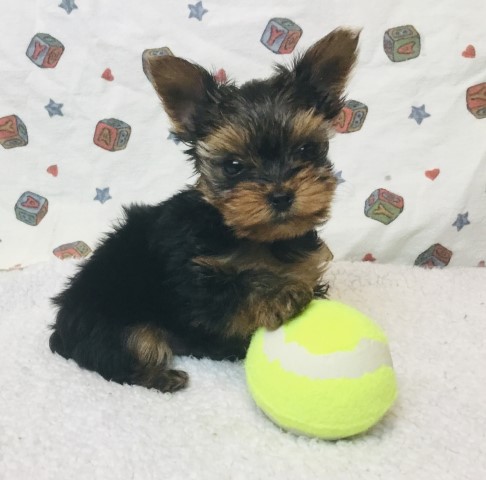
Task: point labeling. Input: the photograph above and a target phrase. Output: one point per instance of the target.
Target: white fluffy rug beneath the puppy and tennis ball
(59, 422)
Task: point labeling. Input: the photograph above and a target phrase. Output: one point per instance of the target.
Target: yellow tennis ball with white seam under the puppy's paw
(327, 373)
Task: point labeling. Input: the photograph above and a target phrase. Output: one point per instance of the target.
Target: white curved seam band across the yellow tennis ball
(366, 357)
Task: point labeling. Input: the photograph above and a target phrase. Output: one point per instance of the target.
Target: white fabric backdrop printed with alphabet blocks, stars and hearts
(411, 157)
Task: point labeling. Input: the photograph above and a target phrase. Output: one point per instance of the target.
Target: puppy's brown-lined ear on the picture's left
(187, 92)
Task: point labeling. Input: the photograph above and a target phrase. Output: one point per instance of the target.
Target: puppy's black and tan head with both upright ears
(261, 149)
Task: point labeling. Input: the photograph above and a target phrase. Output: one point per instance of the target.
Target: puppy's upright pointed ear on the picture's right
(320, 75)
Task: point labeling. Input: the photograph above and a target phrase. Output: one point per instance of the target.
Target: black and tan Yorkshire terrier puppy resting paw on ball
(199, 272)
